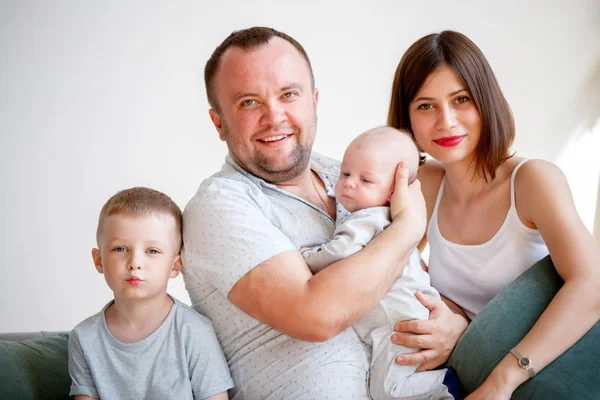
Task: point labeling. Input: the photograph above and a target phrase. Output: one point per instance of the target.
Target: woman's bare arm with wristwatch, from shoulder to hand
(544, 201)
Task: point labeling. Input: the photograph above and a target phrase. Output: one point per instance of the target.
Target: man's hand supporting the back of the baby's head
(407, 203)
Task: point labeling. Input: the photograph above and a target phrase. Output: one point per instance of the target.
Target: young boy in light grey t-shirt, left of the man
(144, 344)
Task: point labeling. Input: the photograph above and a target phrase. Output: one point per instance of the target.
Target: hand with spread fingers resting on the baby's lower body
(436, 337)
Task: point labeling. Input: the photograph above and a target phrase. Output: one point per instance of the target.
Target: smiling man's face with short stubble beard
(266, 109)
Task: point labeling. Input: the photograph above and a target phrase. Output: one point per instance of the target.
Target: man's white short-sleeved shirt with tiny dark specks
(235, 222)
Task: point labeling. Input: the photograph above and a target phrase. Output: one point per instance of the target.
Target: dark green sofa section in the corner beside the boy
(35, 369)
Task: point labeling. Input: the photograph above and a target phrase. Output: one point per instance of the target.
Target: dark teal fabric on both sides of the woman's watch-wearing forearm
(506, 320)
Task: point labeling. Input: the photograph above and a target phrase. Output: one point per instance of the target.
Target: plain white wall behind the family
(98, 96)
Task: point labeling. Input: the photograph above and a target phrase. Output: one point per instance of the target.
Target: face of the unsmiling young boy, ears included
(138, 255)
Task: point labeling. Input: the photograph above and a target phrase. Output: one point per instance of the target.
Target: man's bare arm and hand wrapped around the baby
(283, 293)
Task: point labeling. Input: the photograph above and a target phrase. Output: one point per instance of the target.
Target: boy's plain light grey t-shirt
(182, 359)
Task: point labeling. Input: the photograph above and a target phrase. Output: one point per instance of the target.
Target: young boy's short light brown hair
(137, 202)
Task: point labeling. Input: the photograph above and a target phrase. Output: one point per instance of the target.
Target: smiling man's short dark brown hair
(246, 39)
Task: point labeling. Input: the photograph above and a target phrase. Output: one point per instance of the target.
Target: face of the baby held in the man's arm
(365, 179)
